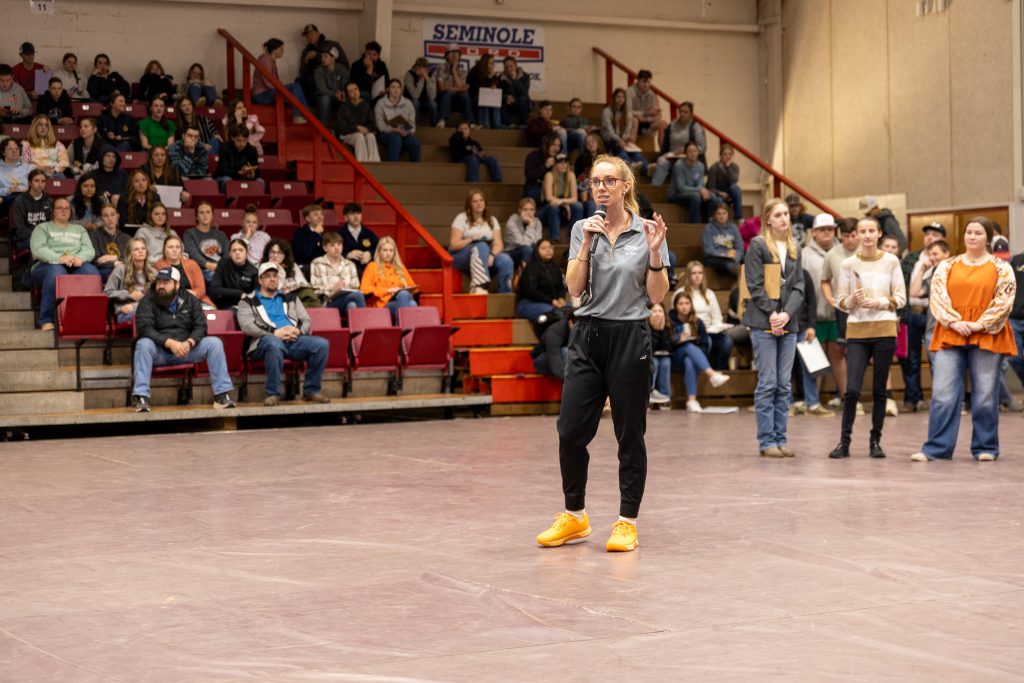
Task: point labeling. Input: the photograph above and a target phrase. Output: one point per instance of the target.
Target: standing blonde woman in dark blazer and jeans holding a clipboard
(775, 280)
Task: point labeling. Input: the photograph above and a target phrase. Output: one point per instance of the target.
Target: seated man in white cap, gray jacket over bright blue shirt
(280, 327)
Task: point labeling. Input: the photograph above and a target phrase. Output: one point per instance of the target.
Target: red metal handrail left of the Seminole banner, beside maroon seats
(405, 221)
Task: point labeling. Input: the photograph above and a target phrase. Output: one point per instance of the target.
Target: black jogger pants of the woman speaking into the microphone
(607, 359)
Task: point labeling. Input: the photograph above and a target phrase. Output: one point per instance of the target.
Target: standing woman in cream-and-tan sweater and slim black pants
(871, 291)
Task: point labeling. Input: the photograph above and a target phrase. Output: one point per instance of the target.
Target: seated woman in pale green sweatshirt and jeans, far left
(59, 248)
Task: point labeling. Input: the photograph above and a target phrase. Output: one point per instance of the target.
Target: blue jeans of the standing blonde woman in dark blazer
(775, 357)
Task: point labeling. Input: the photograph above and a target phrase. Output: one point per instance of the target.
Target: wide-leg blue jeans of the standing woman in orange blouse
(948, 396)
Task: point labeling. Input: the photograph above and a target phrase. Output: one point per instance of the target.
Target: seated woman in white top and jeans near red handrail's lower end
(477, 246)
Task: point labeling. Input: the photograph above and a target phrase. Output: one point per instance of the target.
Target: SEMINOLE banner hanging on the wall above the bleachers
(525, 42)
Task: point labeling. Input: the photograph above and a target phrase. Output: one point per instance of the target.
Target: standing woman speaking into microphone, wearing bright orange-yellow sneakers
(617, 264)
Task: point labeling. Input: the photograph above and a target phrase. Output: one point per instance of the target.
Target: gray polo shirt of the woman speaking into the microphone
(619, 276)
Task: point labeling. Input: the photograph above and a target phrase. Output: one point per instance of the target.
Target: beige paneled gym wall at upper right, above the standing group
(879, 101)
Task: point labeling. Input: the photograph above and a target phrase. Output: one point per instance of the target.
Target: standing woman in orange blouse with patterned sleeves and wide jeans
(971, 298)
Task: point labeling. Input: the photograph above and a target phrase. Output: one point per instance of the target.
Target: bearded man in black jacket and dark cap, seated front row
(172, 328)
